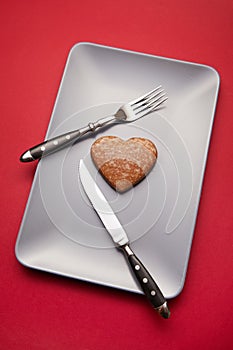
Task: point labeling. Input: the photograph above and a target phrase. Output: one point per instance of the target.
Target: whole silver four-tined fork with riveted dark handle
(129, 112)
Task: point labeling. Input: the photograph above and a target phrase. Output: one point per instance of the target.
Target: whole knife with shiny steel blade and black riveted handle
(119, 236)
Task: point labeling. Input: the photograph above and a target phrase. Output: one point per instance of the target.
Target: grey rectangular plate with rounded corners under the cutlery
(60, 232)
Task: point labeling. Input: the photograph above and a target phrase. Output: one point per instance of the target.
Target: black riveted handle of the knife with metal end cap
(147, 283)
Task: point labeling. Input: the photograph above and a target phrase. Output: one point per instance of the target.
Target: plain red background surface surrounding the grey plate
(43, 311)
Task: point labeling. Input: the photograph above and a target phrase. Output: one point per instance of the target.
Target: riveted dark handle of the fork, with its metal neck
(56, 143)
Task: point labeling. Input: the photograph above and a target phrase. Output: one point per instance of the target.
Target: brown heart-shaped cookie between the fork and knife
(123, 163)
